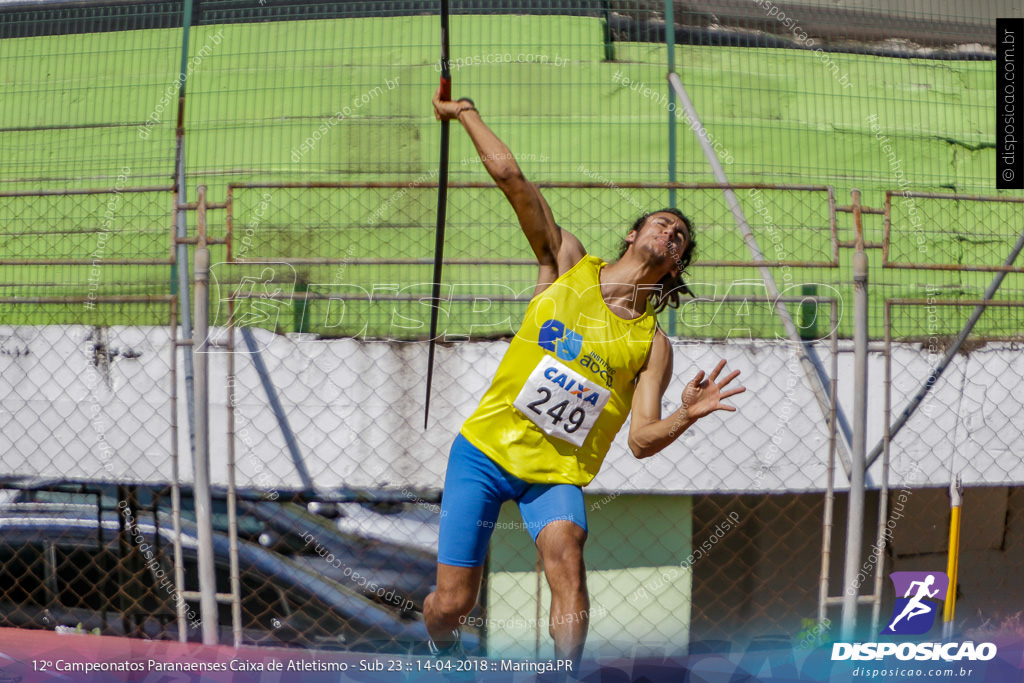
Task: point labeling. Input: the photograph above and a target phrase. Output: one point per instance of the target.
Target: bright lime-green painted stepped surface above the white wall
(268, 104)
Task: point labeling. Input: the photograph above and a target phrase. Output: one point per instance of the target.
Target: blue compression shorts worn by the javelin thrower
(476, 487)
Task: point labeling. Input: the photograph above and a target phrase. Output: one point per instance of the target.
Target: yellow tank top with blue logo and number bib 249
(566, 386)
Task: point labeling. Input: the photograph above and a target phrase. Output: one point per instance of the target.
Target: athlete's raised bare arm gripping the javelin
(557, 250)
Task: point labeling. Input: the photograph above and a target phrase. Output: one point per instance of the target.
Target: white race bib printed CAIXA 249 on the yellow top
(562, 402)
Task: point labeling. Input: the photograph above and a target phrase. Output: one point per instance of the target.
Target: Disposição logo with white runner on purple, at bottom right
(919, 595)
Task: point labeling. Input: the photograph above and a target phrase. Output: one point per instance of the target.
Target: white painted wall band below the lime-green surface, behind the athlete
(357, 411)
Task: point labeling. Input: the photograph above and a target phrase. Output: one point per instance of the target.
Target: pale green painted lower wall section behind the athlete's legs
(639, 594)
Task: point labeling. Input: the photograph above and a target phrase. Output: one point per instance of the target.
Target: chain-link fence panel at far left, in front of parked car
(89, 395)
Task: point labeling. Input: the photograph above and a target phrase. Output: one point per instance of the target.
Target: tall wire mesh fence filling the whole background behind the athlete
(326, 487)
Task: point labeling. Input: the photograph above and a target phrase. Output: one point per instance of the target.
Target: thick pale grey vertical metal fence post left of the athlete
(201, 492)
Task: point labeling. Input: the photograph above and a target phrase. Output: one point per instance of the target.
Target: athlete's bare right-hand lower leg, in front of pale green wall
(561, 544)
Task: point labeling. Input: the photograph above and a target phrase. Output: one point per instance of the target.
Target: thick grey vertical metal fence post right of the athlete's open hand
(856, 504)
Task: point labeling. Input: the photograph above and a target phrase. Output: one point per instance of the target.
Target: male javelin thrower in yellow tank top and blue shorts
(589, 353)
